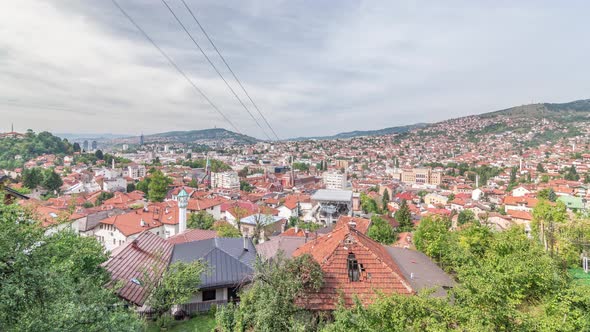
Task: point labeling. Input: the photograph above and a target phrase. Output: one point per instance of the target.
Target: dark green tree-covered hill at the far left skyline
(30, 146)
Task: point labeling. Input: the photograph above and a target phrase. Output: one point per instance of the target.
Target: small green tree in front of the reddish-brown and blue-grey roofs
(177, 285)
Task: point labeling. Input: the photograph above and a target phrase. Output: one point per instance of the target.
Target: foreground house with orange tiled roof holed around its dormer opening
(356, 266)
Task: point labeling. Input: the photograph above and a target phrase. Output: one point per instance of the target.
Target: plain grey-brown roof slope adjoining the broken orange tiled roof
(426, 274)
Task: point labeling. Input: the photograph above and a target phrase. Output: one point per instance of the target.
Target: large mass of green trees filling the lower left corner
(54, 283)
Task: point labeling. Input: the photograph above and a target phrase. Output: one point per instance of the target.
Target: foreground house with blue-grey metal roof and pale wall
(230, 265)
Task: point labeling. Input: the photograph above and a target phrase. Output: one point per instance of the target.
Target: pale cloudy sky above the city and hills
(314, 68)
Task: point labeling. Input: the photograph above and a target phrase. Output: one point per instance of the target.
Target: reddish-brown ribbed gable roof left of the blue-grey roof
(129, 262)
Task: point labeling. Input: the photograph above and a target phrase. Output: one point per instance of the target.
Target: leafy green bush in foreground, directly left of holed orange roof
(269, 303)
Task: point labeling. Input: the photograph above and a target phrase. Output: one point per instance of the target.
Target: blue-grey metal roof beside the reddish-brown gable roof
(228, 263)
